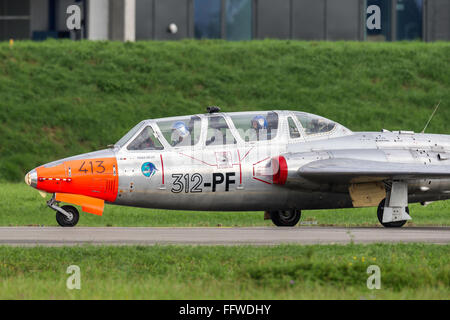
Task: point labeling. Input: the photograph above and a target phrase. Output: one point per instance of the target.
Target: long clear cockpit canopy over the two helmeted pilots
(220, 129)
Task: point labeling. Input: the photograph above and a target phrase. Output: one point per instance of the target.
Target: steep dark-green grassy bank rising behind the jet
(60, 98)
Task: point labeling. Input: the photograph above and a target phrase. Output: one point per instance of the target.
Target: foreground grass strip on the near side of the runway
(408, 271)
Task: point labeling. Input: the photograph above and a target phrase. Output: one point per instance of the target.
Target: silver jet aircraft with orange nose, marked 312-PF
(280, 162)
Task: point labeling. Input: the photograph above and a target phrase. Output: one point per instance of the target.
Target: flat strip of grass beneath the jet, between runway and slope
(21, 206)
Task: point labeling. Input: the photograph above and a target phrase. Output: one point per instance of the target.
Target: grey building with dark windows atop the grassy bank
(129, 20)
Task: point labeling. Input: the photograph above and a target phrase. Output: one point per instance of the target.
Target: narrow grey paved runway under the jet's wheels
(57, 236)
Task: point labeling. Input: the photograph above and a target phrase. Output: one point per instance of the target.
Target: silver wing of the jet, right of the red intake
(357, 171)
